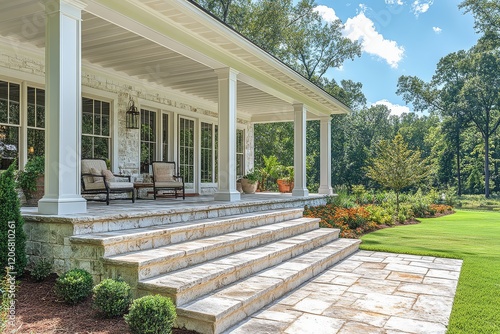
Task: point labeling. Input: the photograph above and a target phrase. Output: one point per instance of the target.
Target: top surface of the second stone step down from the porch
(149, 256)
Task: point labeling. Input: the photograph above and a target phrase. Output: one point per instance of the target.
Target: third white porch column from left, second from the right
(299, 151)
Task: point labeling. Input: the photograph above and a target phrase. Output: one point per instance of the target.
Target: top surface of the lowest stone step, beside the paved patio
(221, 303)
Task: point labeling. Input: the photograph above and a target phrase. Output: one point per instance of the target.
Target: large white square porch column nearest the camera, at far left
(63, 108)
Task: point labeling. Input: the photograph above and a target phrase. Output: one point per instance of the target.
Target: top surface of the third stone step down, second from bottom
(193, 276)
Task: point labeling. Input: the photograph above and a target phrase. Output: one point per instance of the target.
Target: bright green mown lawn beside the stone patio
(474, 237)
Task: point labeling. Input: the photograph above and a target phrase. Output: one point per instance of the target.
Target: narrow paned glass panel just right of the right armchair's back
(186, 149)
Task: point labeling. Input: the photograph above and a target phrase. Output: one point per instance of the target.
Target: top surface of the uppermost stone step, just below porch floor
(112, 237)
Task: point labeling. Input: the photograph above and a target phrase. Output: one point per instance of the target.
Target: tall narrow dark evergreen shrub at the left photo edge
(12, 235)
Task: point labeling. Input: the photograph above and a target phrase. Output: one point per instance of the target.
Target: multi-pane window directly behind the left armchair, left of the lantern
(96, 137)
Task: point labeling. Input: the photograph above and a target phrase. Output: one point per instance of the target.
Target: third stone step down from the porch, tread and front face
(187, 284)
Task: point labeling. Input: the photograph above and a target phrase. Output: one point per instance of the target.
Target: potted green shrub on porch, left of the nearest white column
(31, 180)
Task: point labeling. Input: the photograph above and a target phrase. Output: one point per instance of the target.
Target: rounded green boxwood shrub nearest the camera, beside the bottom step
(151, 315)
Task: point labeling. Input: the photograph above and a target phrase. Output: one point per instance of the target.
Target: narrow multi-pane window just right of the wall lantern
(148, 139)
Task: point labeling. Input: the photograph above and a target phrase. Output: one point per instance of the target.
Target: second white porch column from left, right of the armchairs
(227, 136)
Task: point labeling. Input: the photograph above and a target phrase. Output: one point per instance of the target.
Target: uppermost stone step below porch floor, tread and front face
(135, 239)
